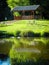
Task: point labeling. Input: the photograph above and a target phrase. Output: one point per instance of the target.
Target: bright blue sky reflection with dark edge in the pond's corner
(4, 59)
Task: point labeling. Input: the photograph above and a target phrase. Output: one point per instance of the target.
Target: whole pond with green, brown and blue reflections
(24, 51)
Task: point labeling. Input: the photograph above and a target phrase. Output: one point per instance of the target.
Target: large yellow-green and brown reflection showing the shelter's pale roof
(26, 51)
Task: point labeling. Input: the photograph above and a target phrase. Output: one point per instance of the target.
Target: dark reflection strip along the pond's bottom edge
(30, 62)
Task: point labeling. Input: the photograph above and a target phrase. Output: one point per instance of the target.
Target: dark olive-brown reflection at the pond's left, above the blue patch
(5, 47)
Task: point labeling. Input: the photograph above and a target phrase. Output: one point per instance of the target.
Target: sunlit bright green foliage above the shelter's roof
(13, 3)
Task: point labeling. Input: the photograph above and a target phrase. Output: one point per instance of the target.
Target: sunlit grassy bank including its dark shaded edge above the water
(24, 28)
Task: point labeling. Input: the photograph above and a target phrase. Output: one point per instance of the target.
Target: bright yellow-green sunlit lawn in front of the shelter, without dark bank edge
(37, 26)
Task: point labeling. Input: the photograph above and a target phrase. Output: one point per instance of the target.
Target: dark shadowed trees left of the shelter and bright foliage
(5, 13)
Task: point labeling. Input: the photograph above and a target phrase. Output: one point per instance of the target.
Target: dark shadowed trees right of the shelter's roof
(44, 4)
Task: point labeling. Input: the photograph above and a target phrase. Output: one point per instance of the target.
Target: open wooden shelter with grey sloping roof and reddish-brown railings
(28, 12)
